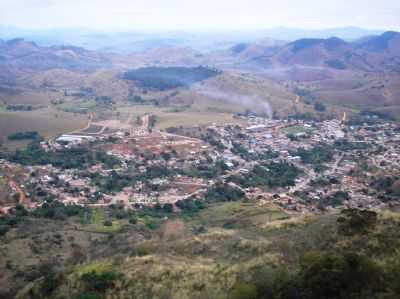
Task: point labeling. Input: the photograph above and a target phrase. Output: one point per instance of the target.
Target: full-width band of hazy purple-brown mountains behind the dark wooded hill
(375, 53)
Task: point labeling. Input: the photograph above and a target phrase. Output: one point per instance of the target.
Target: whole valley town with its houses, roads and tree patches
(300, 165)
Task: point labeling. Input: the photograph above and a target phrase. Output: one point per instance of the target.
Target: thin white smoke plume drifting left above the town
(253, 103)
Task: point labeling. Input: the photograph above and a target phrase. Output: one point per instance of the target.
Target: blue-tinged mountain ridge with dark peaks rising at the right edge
(373, 53)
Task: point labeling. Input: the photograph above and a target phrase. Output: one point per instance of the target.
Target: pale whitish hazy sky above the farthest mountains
(199, 14)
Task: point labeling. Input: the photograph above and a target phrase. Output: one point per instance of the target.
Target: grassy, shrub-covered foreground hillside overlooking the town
(225, 250)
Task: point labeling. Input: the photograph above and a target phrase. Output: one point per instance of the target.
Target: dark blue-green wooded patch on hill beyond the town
(163, 78)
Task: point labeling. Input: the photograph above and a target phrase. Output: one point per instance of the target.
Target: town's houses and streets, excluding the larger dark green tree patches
(140, 153)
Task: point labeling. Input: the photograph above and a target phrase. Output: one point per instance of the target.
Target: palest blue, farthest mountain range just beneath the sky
(132, 41)
